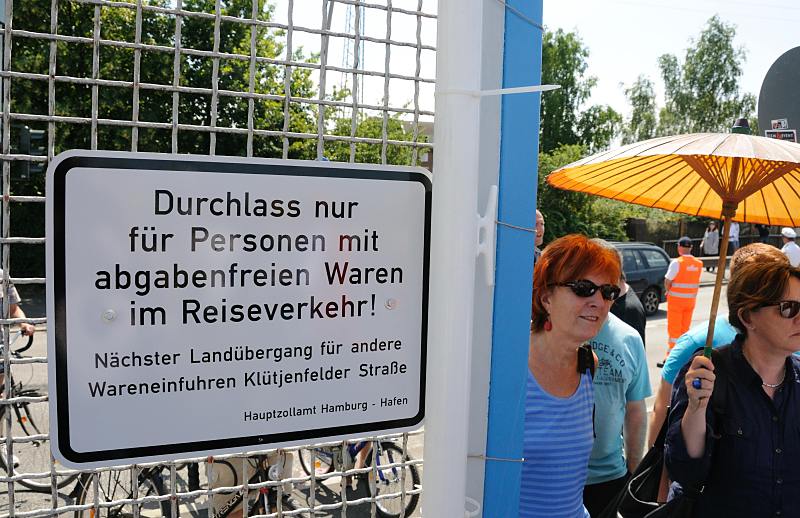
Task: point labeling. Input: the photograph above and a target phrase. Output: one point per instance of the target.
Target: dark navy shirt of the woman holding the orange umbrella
(752, 470)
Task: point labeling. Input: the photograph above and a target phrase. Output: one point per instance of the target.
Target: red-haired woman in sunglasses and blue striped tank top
(574, 284)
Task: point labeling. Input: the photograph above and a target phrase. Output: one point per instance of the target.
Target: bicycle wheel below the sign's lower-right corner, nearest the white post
(390, 482)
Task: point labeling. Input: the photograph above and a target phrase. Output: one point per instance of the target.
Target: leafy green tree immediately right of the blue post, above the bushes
(564, 119)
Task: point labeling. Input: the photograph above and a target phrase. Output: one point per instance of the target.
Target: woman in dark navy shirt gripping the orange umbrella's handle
(745, 458)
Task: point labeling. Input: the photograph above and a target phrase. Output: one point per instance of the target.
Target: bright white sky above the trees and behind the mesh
(624, 38)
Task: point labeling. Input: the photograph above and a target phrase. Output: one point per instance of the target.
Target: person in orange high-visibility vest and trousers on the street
(681, 282)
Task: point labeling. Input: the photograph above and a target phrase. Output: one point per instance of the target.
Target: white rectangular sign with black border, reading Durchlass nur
(214, 304)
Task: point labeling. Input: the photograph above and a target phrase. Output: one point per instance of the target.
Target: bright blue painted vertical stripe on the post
(519, 149)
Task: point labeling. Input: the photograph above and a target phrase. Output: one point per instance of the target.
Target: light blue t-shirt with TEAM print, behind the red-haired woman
(621, 377)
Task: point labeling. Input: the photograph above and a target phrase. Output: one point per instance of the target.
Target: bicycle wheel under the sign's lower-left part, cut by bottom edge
(115, 485)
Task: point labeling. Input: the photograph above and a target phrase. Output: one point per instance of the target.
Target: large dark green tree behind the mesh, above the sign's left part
(116, 102)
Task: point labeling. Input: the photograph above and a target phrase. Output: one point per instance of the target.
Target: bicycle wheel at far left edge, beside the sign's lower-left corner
(30, 419)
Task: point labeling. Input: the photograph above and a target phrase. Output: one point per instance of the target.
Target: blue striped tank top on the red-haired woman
(556, 446)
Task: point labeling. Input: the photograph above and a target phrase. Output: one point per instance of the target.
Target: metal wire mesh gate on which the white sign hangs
(343, 80)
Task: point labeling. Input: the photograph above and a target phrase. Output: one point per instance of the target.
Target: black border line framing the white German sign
(216, 165)
